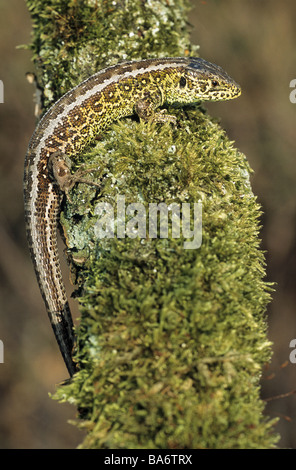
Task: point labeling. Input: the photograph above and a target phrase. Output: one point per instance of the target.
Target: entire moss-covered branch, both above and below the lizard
(171, 341)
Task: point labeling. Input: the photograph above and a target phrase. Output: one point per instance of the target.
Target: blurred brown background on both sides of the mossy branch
(255, 42)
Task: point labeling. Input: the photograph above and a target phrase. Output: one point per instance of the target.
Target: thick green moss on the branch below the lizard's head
(172, 341)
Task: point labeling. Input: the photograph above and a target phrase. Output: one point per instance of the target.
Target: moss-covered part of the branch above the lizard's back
(72, 39)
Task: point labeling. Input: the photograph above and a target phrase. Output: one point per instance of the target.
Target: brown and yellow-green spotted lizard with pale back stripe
(70, 125)
